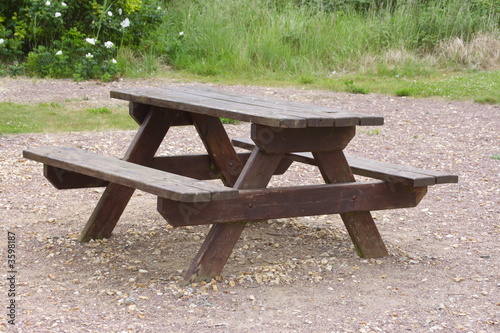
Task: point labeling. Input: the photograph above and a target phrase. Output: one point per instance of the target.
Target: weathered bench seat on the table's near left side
(162, 184)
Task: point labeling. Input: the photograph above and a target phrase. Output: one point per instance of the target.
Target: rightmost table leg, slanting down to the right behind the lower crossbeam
(360, 225)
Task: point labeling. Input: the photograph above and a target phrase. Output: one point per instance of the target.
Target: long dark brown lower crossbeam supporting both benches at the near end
(273, 203)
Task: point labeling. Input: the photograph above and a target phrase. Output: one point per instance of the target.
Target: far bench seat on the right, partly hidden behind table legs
(393, 173)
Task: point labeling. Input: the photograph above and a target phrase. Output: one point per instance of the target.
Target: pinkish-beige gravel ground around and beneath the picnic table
(288, 275)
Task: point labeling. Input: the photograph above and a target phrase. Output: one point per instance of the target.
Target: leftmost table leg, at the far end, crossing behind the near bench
(116, 197)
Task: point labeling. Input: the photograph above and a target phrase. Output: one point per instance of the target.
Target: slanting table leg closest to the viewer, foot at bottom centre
(222, 238)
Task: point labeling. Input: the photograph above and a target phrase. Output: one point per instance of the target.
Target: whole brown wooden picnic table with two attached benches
(282, 132)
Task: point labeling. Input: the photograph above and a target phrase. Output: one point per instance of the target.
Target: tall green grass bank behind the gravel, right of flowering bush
(238, 38)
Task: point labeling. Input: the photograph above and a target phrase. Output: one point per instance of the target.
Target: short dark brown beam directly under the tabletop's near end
(287, 140)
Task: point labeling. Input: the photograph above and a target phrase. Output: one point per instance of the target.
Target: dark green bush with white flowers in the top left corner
(74, 38)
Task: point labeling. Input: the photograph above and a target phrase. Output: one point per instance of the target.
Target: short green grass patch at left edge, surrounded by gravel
(54, 117)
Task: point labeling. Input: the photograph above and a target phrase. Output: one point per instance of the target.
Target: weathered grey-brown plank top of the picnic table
(245, 107)
